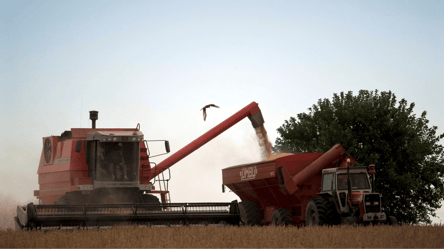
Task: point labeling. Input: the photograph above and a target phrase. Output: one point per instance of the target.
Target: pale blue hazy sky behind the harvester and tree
(158, 63)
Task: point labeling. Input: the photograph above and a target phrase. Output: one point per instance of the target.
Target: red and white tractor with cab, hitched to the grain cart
(347, 197)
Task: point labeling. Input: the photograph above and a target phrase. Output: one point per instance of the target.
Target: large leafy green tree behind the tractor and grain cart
(376, 129)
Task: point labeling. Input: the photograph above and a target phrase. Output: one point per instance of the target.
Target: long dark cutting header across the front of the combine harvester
(40, 216)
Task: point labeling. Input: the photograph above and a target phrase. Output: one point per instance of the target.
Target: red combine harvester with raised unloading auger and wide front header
(102, 177)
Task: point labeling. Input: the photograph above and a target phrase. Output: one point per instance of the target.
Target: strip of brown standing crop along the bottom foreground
(229, 237)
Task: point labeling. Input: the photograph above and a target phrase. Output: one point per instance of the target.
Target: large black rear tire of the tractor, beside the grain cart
(321, 211)
